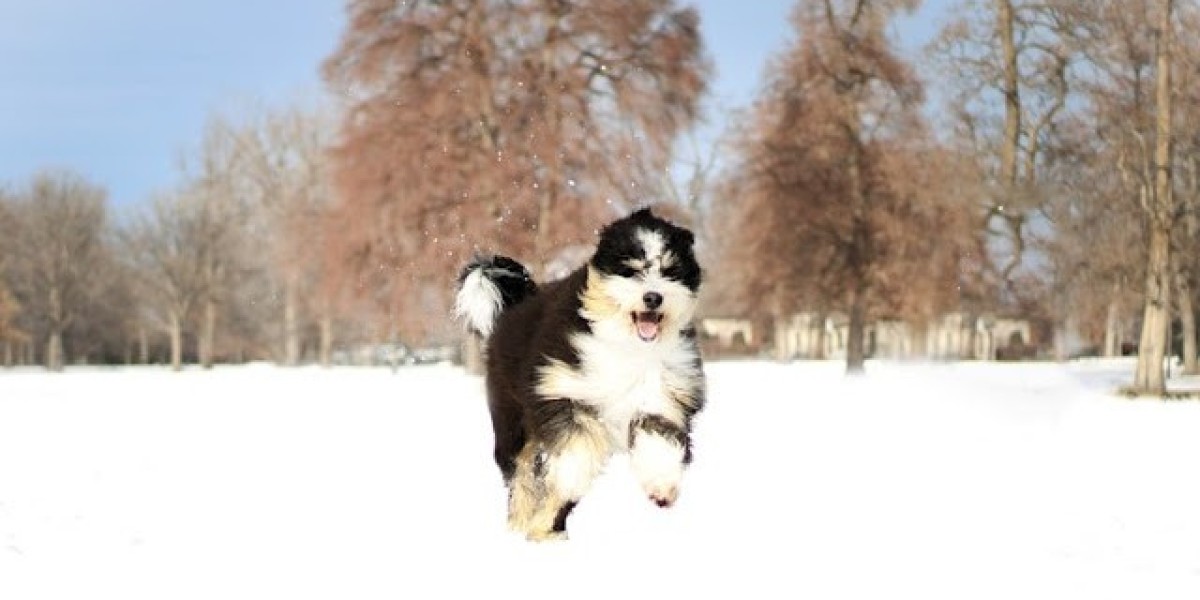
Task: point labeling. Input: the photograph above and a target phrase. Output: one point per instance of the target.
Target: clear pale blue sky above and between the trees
(118, 89)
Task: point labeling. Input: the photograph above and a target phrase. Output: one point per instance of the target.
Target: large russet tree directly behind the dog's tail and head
(476, 125)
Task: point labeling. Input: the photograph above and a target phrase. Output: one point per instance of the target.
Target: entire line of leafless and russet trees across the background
(1036, 159)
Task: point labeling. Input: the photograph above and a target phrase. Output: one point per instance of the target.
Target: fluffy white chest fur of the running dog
(626, 377)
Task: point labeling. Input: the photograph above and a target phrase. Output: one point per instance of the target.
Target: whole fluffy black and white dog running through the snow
(601, 362)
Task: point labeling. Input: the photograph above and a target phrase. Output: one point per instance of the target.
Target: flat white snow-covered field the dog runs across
(956, 482)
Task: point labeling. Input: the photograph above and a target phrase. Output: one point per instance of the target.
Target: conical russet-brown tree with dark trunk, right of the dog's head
(835, 184)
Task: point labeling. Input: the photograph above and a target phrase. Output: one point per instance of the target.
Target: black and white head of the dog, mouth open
(644, 279)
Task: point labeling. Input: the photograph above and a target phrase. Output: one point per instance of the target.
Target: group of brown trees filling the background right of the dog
(1054, 183)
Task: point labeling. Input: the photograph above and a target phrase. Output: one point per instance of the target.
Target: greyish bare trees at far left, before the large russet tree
(227, 266)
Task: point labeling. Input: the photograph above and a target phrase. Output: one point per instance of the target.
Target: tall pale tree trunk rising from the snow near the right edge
(1149, 377)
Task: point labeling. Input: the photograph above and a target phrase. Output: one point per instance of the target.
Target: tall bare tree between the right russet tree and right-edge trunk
(1010, 67)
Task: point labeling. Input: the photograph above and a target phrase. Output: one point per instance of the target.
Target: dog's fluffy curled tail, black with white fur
(487, 287)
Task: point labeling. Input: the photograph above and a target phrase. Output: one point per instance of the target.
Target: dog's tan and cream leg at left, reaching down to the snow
(554, 473)
